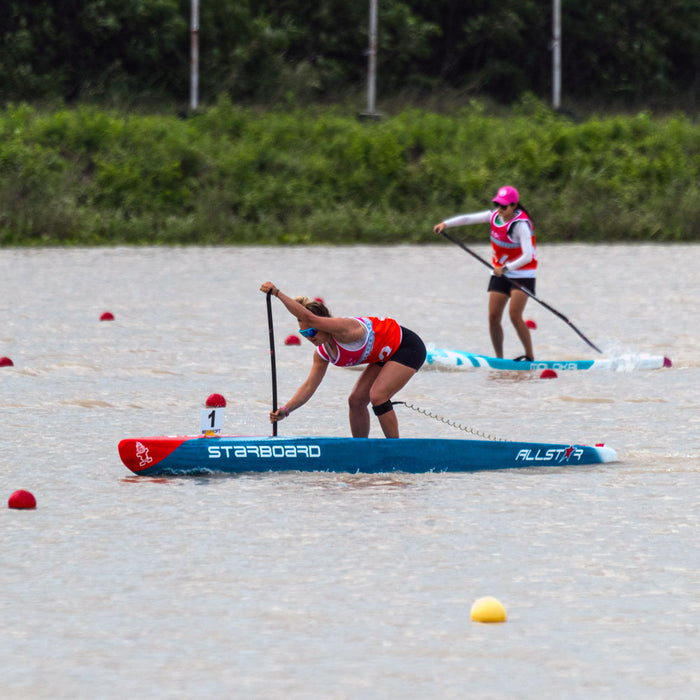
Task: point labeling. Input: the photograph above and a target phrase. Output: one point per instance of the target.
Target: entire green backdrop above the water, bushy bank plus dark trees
(277, 168)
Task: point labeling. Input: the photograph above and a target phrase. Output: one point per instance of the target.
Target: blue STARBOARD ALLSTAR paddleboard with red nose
(153, 456)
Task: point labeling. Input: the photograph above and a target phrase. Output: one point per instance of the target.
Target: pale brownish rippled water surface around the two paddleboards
(344, 586)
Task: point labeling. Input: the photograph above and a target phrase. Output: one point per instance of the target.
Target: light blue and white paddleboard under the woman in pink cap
(459, 359)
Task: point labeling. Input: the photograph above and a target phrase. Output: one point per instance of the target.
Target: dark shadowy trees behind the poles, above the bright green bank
(614, 52)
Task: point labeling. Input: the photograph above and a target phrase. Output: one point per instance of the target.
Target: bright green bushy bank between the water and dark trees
(232, 175)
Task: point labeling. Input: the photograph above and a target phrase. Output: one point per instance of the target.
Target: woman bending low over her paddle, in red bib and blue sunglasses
(393, 354)
